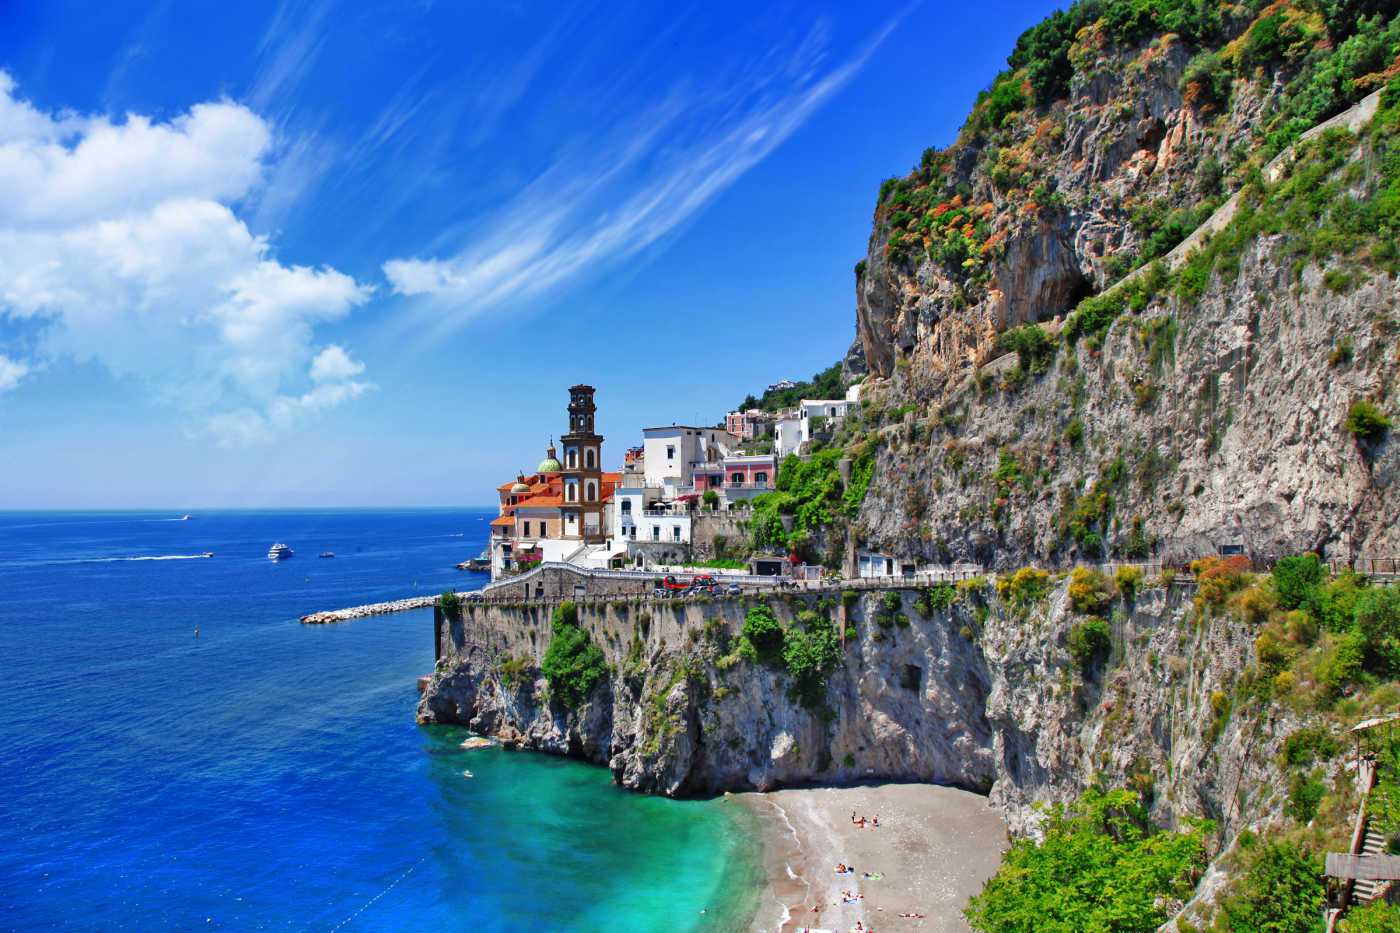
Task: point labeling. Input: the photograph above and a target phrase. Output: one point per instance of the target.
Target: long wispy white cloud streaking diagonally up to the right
(611, 195)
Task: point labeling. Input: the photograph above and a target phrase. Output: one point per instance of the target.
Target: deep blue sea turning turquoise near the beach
(265, 775)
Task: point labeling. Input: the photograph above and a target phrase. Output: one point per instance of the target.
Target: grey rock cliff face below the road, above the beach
(983, 696)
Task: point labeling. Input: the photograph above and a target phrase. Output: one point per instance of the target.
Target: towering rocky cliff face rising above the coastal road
(1206, 414)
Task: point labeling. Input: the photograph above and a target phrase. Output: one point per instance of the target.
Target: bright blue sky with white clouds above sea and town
(353, 254)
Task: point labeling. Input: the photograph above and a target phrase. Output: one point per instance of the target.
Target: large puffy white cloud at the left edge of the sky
(121, 242)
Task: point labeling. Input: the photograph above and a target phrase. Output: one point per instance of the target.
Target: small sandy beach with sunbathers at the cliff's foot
(933, 850)
